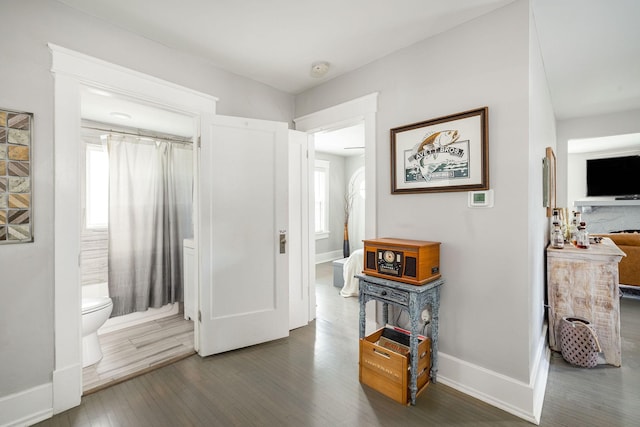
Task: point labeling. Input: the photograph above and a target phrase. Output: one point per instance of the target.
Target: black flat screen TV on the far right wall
(614, 176)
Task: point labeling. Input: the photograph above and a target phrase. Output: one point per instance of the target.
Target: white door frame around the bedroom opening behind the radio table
(342, 115)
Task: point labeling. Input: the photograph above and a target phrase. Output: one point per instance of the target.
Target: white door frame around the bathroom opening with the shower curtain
(72, 71)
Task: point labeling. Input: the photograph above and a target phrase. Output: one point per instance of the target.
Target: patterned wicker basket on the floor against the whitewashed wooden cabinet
(579, 342)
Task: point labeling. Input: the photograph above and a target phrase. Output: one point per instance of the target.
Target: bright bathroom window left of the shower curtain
(97, 188)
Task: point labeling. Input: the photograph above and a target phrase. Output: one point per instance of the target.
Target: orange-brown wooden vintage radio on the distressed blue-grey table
(410, 261)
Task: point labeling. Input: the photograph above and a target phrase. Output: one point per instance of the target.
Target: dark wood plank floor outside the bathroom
(311, 379)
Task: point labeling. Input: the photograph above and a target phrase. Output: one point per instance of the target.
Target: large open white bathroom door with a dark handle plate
(243, 272)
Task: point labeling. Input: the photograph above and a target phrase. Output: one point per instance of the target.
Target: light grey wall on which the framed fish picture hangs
(491, 313)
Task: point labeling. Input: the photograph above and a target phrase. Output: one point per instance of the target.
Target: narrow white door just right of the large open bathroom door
(298, 230)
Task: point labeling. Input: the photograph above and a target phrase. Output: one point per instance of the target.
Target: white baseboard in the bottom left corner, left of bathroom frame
(27, 407)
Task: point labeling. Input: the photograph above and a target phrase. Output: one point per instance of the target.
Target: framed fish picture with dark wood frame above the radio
(448, 153)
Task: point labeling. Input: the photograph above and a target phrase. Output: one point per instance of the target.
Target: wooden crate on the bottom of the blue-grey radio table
(388, 372)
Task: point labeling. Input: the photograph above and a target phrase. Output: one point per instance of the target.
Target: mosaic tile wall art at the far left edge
(16, 223)
